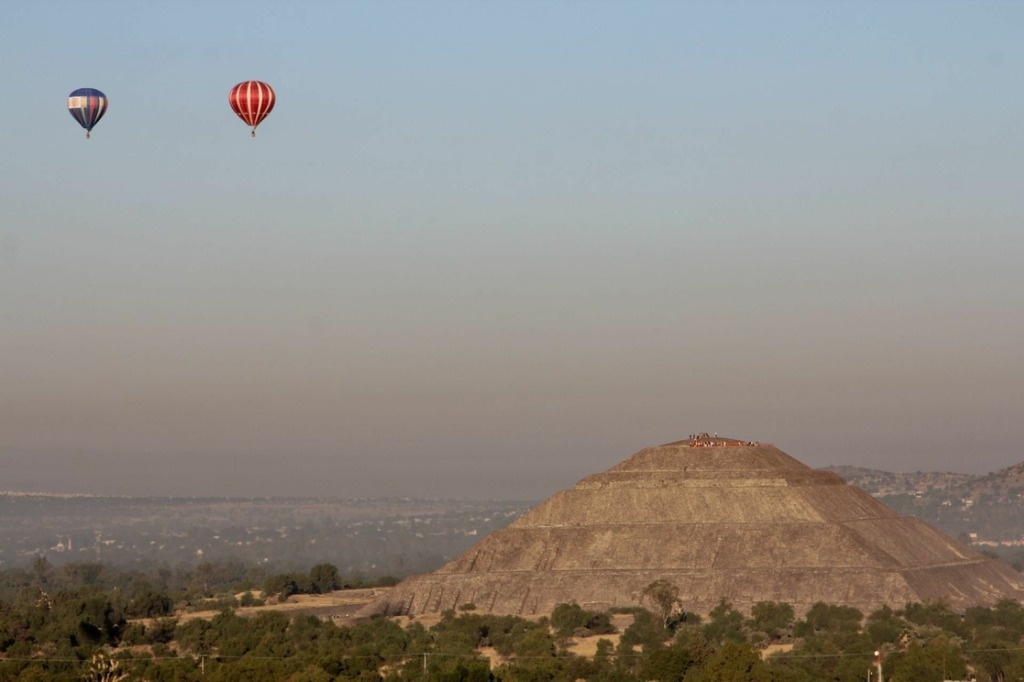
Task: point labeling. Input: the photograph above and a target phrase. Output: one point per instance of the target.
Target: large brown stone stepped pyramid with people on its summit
(717, 518)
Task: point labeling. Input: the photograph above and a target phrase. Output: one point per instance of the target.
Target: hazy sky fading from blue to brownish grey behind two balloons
(486, 249)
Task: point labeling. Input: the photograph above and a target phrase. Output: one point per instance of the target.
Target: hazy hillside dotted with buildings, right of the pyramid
(987, 509)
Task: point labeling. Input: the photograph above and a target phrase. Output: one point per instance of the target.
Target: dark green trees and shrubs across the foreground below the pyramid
(90, 622)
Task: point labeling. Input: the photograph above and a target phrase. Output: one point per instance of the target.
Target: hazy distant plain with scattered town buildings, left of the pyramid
(363, 537)
